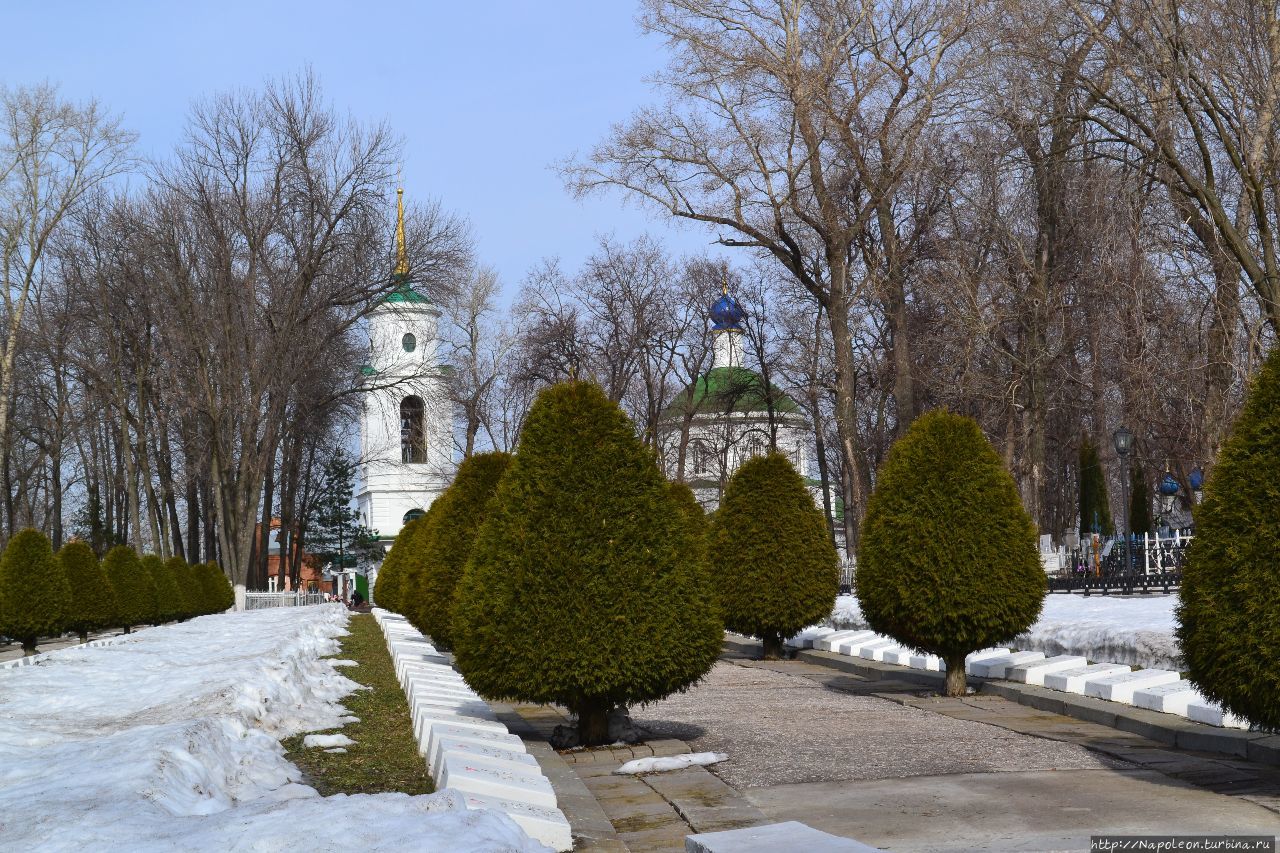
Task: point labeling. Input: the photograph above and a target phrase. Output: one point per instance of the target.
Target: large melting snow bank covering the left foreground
(170, 740)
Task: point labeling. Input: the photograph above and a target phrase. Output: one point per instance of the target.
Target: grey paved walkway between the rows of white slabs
(895, 767)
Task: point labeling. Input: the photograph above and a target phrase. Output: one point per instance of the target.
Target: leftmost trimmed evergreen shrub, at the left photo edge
(34, 596)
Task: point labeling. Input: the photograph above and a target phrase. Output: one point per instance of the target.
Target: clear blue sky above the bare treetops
(486, 95)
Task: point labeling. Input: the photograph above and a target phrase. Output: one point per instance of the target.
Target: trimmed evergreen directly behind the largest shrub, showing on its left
(435, 565)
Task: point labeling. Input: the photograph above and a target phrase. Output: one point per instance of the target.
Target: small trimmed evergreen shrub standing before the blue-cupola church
(775, 565)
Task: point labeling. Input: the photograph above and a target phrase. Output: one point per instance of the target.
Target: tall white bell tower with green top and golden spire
(406, 434)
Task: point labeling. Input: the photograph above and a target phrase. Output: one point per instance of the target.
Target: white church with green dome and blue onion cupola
(729, 416)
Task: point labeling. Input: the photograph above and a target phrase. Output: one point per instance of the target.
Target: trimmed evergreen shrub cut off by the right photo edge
(1229, 613)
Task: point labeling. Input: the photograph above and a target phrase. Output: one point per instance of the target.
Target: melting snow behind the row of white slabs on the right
(1136, 631)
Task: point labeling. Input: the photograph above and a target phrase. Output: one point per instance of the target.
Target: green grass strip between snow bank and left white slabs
(385, 758)
